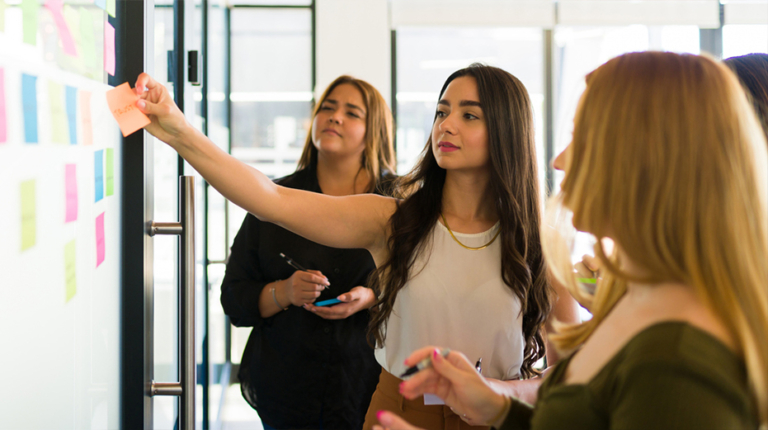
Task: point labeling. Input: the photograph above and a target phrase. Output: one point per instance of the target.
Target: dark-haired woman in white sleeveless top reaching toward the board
(459, 259)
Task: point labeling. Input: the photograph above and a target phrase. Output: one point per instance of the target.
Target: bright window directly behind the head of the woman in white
(427, 56)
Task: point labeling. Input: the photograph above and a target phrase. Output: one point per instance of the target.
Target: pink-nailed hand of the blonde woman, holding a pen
(455, 380)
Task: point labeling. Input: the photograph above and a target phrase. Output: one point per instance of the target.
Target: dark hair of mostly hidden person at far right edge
(752, 70)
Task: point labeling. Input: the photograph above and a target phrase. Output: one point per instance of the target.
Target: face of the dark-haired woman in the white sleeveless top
(459, 134)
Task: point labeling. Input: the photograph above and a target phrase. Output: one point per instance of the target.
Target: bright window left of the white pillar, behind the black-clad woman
(271, 86)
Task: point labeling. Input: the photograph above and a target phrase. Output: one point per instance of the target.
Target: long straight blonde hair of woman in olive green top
(668, 158)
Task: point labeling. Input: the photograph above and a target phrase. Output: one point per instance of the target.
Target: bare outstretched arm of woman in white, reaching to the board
(358, 221)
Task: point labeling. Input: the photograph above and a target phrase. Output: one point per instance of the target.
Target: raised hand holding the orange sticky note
(168, 122)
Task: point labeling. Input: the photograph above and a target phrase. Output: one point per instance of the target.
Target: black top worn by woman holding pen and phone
(298, 368)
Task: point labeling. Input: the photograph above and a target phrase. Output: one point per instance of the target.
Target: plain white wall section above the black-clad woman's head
(353, 37)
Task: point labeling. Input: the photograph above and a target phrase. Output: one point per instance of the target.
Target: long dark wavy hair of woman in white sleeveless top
(514, 185)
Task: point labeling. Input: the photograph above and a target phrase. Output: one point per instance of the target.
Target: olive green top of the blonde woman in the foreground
(671, 375)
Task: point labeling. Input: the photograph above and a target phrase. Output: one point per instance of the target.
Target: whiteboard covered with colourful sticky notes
(59, 271)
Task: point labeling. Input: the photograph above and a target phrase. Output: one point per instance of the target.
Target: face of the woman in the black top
(339, 126)
